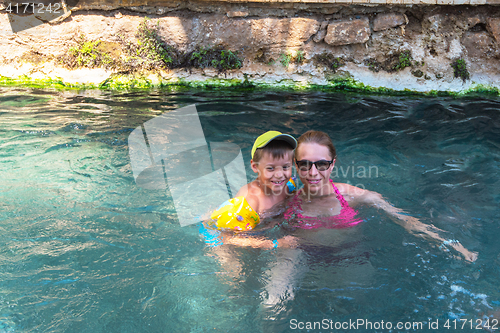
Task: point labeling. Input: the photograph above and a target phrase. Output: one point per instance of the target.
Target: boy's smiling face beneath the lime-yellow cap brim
(273, 173)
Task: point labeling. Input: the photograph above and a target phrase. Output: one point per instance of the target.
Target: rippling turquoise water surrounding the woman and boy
(83, 248)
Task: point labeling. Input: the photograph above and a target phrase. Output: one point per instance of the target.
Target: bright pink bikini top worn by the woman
(345, 219)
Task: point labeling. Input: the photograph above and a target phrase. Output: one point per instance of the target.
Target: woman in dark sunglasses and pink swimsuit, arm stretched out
(321, 203)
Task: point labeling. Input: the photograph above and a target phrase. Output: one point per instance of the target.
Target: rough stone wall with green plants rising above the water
(420, 48)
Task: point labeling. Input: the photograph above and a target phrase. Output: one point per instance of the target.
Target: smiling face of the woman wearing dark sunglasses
(315, 181)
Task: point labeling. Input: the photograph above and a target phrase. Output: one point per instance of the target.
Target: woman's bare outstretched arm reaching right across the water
(355, 195)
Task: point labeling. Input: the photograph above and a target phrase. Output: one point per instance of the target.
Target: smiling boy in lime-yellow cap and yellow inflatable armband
(272, 155)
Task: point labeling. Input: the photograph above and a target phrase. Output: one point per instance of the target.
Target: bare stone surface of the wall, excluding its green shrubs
(397, 47)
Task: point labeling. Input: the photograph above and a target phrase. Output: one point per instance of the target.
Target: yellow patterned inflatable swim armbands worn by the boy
(237, 214)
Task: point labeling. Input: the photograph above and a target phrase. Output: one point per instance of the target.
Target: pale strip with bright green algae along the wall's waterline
(353, 78)
